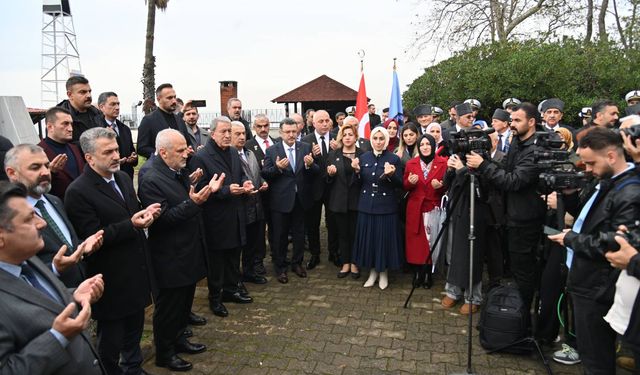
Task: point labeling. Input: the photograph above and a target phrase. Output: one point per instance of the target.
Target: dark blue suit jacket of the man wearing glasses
(287, 185)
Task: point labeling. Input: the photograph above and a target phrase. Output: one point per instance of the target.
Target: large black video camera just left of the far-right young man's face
(557, 171)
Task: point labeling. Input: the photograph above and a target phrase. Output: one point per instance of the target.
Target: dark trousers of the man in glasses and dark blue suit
(282, 224)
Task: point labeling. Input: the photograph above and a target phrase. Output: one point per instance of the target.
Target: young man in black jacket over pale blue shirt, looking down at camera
(600, 209)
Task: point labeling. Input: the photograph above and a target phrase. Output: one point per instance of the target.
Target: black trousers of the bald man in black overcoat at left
(170, 317)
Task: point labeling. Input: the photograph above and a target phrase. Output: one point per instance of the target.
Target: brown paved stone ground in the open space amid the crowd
(326, 325)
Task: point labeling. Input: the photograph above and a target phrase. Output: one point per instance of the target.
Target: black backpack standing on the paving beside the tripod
(503, 321)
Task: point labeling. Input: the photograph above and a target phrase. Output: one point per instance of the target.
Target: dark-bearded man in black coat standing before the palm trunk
(162, 118)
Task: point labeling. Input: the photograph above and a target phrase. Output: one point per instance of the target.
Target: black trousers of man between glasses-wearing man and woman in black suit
(312, 225)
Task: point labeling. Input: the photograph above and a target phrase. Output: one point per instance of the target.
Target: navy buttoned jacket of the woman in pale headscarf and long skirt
(377, 195)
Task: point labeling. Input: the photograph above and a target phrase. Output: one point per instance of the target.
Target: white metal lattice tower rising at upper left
(60, 56)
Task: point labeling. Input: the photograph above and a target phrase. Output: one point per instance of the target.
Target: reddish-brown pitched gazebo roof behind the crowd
(321, 89)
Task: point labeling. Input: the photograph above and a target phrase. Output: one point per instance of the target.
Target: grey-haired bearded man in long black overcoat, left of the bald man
(103, 198)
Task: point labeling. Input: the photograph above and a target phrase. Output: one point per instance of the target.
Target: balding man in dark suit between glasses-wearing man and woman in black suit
(321, 143)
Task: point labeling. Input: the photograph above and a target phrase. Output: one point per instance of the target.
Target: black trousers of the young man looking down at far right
(595, 338)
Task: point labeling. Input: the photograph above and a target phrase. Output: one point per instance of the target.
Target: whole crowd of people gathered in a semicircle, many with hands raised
(215, 202)
